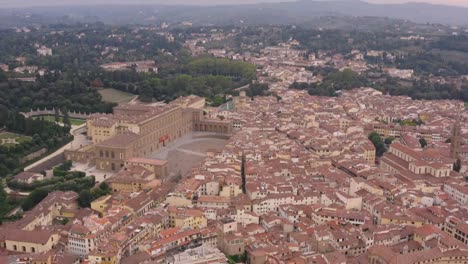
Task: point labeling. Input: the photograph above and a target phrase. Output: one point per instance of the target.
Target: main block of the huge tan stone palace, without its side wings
(133, 131)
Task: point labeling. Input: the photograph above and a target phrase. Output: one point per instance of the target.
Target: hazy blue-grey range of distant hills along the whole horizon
(300, 12)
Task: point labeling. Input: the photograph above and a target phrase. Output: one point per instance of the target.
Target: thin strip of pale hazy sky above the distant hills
(23, 3)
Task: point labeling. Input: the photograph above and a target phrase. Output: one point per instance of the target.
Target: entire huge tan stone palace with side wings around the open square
(137, 130)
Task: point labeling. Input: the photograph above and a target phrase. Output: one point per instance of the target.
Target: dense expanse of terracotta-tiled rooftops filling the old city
(298, 181)
